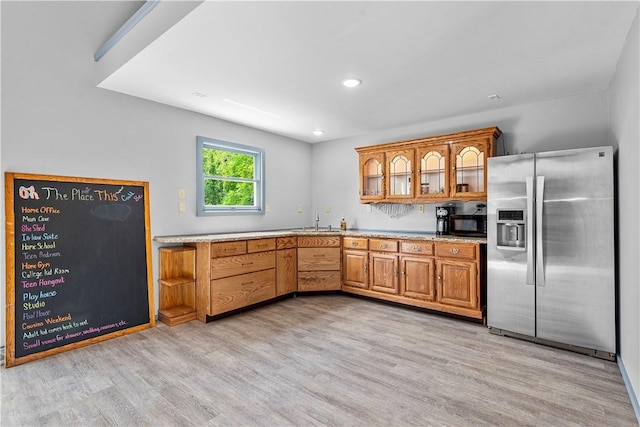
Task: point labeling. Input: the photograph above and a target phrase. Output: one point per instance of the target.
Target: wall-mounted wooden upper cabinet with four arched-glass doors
(432, 169)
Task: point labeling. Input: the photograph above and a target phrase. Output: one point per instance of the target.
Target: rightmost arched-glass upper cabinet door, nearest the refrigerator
(470, 169)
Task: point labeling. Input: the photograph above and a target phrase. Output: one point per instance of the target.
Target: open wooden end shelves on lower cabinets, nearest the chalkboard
(177, 284)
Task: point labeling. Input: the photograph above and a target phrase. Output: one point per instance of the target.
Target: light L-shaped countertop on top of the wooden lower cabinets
(406, 235)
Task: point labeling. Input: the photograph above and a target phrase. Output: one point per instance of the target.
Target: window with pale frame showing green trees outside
(230, 178)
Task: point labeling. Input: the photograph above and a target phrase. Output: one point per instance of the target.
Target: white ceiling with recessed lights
(277, 66)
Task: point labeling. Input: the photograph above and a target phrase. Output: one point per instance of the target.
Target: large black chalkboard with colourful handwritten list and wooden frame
(78, 263)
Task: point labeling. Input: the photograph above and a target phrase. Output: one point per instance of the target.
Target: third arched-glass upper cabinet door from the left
(433, 174)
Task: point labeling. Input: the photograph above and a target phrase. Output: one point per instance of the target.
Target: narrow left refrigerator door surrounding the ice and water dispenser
(510, 272)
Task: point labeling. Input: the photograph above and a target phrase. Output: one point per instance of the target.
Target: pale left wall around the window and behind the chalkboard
(55, 121)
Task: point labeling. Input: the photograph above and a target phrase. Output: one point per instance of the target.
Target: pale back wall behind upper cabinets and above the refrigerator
(580, 121)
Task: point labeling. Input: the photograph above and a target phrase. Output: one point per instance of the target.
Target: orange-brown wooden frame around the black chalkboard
(145, 320)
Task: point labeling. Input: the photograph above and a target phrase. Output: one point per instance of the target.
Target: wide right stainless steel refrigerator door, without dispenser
(575, 262)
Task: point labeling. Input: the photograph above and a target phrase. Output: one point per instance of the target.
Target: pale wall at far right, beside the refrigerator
(625, 134)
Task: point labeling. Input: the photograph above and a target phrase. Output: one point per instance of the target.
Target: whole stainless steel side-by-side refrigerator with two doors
(550, 249)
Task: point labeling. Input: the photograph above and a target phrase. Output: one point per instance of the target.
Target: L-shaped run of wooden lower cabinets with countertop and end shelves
(206, 275)
